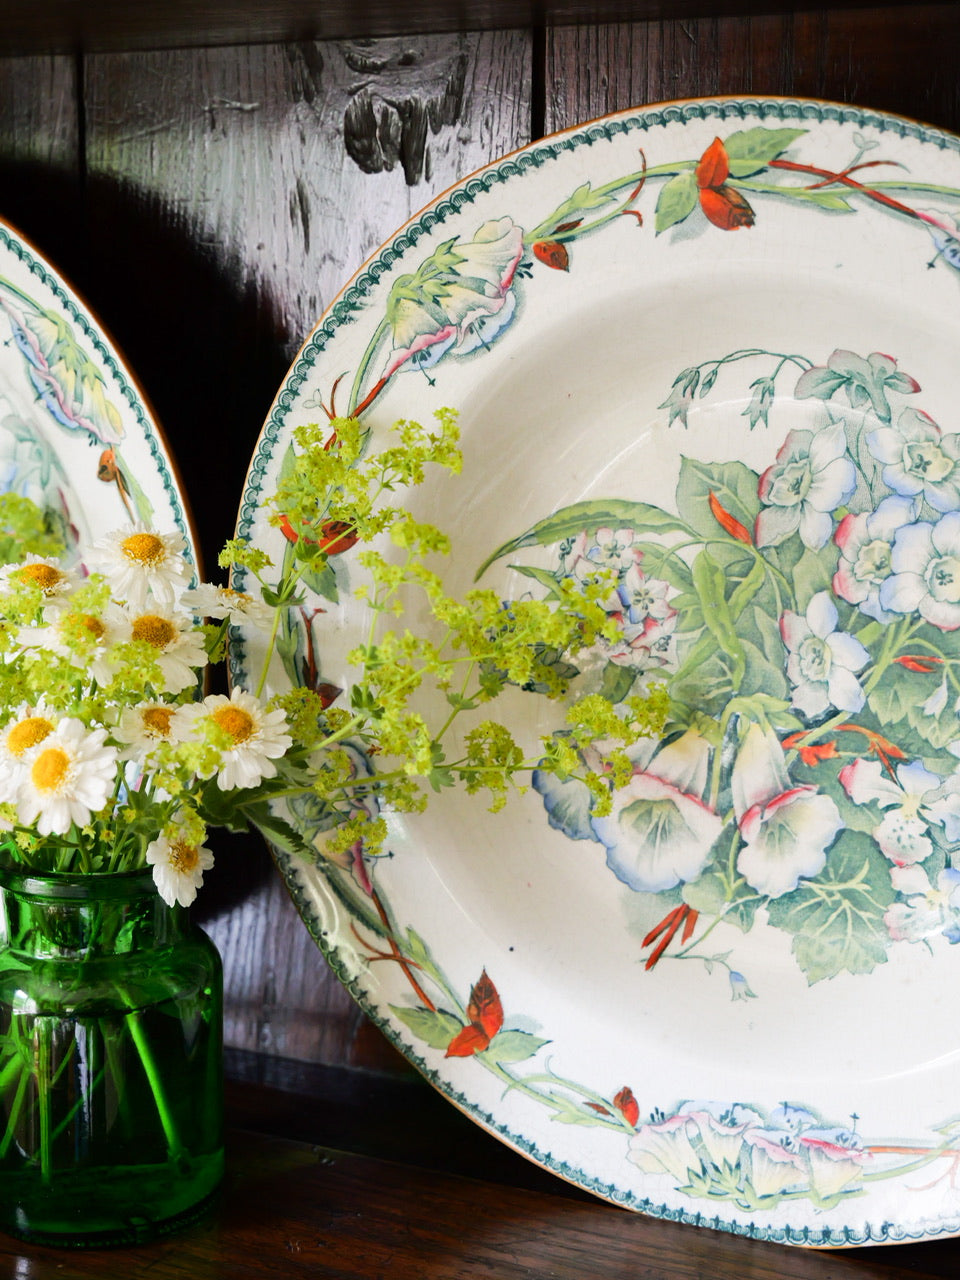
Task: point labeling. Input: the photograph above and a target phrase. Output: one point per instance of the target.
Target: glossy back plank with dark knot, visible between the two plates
(230, 195)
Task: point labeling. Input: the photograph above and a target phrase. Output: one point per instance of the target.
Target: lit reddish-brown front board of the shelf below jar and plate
(294, 1210)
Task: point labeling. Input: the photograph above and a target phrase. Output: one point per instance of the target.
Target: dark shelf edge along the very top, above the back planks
(56, 26)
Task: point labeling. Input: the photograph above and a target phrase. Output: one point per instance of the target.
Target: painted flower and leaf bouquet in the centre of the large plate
(806, 621)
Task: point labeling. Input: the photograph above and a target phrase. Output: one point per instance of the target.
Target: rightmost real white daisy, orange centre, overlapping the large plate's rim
(255, 738)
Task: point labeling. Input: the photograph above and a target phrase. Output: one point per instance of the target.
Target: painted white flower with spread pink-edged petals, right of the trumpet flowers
(903, 835)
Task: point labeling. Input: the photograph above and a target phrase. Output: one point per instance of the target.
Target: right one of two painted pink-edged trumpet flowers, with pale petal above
(787, 829)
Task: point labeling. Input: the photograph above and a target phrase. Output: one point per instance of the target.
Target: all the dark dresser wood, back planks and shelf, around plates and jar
(209, 199)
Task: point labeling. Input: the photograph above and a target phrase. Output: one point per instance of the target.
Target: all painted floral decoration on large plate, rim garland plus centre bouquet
(794, 778)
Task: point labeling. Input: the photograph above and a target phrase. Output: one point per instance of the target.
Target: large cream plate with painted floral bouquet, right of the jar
(711, 348)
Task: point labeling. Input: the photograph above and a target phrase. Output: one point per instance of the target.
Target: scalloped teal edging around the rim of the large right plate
(344, 312)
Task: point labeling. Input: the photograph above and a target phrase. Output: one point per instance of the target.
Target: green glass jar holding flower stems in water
(111, 1060)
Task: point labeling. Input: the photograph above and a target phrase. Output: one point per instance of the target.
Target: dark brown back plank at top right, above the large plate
(902, 60)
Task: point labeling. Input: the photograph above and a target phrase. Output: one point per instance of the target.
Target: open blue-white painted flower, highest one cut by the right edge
(920, 460)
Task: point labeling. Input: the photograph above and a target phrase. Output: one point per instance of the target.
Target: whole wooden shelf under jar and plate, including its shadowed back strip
(363, 1177)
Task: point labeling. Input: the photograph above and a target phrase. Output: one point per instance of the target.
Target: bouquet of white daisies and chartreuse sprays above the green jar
(112, 761)
